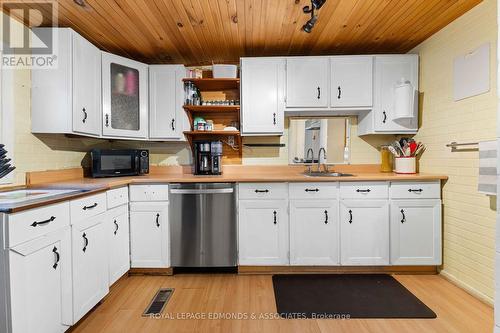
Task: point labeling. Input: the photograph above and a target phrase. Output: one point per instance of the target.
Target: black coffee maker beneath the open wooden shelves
(207, 157)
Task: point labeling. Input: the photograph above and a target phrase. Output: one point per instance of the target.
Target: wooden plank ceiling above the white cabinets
(221, 31)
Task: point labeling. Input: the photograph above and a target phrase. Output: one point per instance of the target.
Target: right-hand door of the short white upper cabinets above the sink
(351, 82)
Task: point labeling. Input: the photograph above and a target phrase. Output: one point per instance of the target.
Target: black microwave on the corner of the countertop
(118, 162)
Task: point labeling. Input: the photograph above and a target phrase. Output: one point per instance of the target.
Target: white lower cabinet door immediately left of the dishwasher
(149, 235)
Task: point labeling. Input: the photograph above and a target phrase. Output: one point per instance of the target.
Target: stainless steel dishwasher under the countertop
(203, 224)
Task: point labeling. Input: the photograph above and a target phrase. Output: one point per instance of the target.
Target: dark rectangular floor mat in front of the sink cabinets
(345, 295)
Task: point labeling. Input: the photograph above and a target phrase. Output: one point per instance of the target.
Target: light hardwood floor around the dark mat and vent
(232, 294)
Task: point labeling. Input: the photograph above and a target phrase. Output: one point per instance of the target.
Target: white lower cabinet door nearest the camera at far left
(40, 284)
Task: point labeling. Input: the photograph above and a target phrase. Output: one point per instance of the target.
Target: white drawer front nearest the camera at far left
(33, 223)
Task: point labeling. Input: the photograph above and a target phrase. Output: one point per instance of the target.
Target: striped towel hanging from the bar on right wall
(487, 182)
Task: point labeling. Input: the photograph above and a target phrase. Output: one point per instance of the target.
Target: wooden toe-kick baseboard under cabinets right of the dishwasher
(337, 269)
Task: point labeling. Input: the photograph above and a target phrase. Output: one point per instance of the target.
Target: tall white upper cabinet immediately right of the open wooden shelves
(262, 96)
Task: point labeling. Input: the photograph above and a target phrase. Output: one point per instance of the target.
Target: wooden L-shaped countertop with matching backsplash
(73, 178)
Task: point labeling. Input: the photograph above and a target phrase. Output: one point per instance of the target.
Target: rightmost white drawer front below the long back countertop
(415, 190)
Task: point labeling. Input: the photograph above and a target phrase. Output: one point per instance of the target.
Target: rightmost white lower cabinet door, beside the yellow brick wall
(416, 232)
